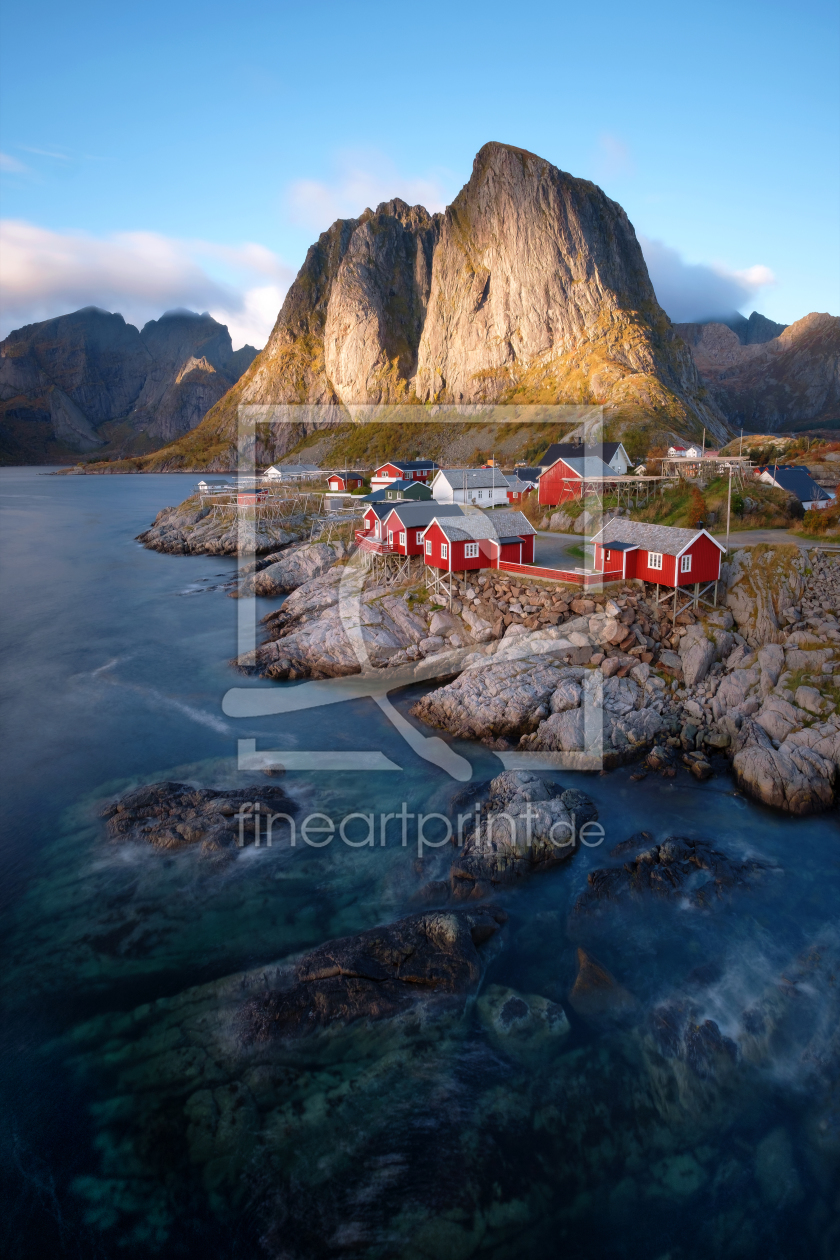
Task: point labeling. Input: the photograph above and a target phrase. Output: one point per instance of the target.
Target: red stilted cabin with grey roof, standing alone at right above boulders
(663, 555)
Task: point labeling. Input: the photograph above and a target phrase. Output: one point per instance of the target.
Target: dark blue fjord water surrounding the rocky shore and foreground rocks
(127, 1131)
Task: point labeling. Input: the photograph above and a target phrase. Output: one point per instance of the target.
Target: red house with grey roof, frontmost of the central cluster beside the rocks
(479, 541)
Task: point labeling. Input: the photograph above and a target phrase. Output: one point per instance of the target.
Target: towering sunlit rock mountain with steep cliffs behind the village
(531, 289)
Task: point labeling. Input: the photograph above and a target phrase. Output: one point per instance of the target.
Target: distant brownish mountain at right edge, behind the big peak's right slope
(786, 382)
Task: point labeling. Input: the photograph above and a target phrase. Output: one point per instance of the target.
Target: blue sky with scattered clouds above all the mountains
(187, 156)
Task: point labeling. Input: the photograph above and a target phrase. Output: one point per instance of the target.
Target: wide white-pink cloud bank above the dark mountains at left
(140, 275)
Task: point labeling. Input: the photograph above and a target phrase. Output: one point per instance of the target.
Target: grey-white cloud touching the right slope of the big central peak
(698, 292)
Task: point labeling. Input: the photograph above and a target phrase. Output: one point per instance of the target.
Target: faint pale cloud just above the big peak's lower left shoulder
(361, 181)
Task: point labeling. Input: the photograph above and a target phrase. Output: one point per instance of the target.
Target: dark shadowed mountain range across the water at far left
(90, 382)
